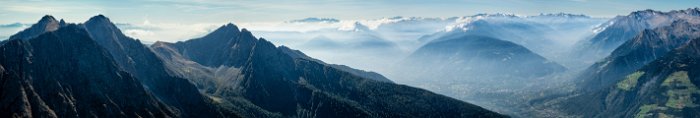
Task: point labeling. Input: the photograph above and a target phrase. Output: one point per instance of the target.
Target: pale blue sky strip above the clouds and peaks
(190, 11)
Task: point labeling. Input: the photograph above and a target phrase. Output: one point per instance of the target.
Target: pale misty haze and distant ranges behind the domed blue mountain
(380, 43)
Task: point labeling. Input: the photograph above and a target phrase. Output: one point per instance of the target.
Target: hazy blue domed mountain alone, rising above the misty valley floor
(470, 51)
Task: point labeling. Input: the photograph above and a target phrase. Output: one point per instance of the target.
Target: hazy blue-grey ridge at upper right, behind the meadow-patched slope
(620, 29)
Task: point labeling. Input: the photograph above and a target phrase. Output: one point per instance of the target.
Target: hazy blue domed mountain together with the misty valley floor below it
(483, 70)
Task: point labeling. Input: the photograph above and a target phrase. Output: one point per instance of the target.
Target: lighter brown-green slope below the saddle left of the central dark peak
(214, 81)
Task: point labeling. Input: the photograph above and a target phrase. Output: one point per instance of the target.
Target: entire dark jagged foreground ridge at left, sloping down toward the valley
(94, 70)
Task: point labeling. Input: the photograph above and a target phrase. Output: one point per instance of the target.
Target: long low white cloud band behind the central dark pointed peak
(171, 32)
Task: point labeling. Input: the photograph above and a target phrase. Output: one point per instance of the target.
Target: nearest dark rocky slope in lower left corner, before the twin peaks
(64, 73)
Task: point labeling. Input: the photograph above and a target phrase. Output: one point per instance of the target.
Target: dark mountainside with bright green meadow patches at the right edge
(650, 75)
